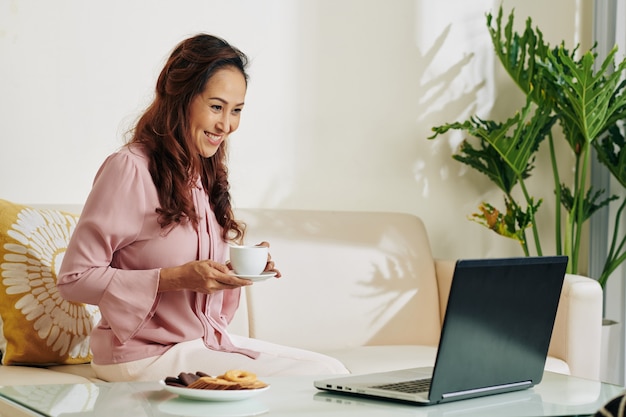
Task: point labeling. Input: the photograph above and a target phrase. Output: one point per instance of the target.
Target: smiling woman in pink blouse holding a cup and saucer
(151, 243)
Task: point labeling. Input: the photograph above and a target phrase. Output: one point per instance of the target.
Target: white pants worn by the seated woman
(193, 356)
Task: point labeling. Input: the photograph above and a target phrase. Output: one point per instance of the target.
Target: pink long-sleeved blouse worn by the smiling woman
(113, 261)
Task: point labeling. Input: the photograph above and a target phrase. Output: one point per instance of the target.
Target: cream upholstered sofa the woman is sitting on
(363, 287)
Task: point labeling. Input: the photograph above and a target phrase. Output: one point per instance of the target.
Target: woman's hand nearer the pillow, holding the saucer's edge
(201, 276)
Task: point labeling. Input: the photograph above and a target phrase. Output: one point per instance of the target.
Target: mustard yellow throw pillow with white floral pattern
(37, 326)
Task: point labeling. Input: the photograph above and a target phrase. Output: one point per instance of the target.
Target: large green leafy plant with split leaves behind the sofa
(565, 97)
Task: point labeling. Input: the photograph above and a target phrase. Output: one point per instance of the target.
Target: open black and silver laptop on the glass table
(494, 339)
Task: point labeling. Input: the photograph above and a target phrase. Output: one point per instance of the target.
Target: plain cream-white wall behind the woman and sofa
(343, 94)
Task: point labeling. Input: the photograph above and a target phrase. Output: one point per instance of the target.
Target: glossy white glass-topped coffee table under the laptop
(557, 395)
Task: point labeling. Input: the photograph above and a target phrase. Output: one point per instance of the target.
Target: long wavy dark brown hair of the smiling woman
(163, 130)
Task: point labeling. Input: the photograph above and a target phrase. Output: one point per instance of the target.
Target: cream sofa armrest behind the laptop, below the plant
(577, 333)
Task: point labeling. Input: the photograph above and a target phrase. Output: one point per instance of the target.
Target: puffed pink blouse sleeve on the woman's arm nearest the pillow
(112, 218)
